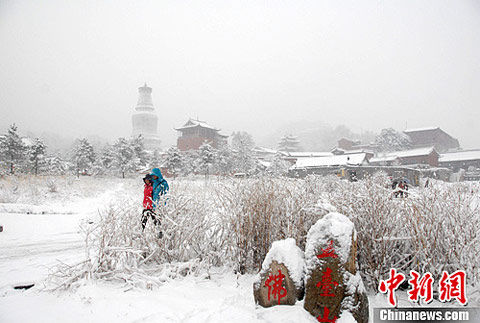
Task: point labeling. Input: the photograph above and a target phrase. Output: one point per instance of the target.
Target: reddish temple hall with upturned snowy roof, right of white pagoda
(195, 132)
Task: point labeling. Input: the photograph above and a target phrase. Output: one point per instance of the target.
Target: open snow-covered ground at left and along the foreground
(32, 243)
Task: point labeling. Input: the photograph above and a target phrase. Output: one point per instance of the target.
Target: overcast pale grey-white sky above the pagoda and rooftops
(73, 67)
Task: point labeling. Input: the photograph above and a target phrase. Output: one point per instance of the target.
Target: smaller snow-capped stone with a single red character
(280, 281)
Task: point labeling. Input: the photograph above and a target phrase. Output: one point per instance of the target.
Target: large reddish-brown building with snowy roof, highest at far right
(432, 136)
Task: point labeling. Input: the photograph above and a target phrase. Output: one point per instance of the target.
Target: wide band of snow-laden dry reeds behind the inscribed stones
(233, 223)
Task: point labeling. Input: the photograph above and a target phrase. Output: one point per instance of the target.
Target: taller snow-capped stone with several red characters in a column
(333, 287)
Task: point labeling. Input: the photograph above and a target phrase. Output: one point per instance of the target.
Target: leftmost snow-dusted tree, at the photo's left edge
(12, 149)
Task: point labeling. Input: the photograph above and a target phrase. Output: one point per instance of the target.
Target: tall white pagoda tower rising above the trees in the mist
(145, 119)
